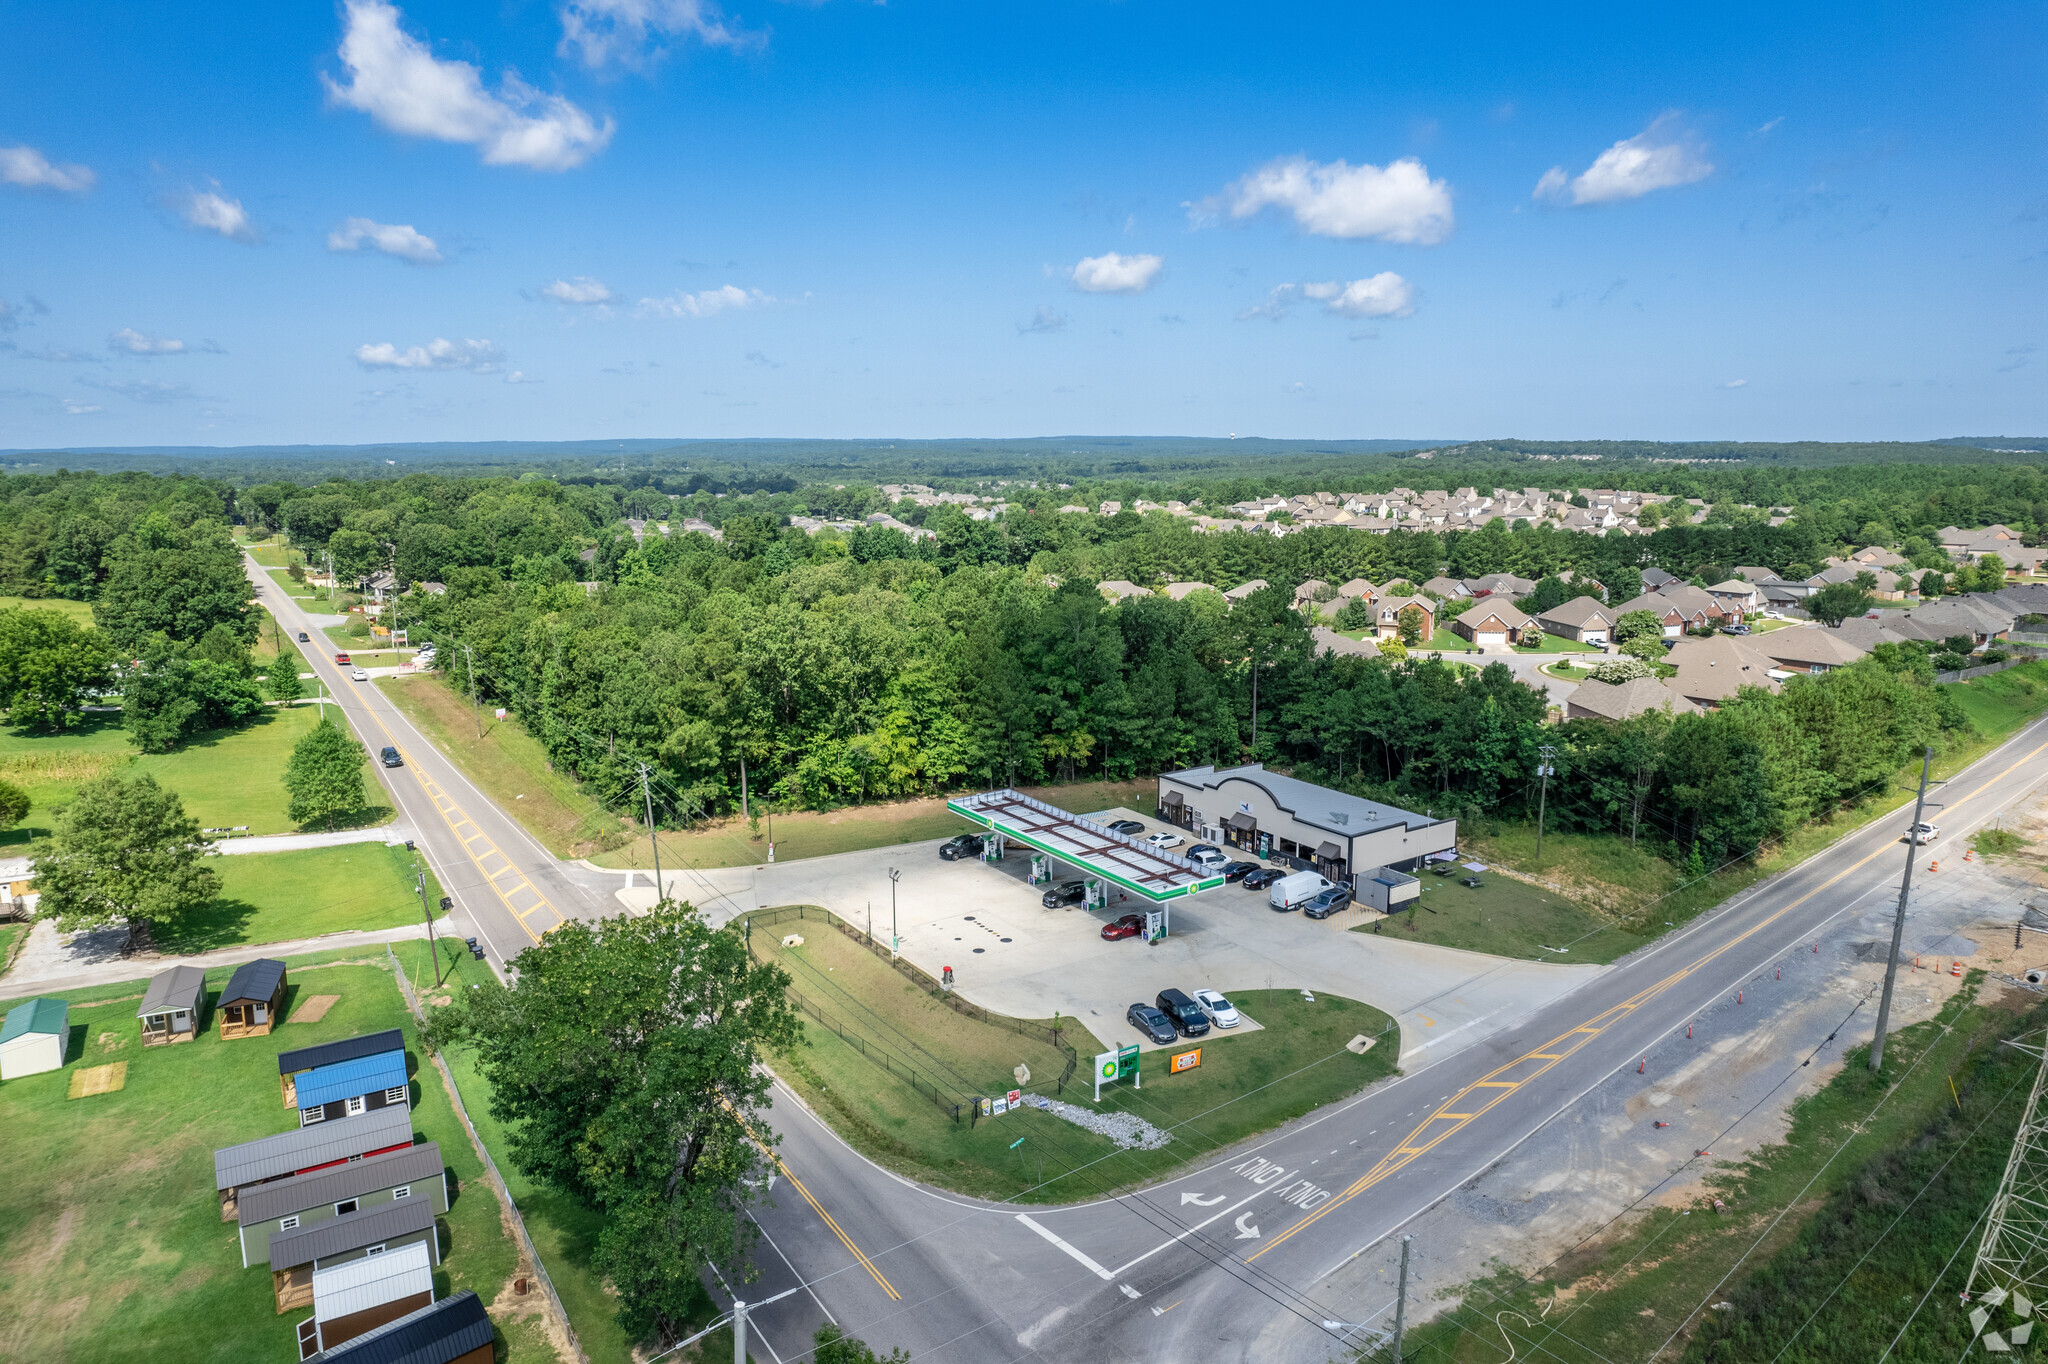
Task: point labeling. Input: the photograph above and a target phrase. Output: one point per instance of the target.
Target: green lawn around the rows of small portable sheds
(110, 1228)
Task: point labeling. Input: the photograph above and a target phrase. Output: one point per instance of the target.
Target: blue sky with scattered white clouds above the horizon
(439, 220)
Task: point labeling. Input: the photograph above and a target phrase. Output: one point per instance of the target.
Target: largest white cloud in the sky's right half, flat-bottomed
(1394, 204)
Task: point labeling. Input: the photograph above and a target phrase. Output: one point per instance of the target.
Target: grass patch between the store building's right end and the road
(1506, 919)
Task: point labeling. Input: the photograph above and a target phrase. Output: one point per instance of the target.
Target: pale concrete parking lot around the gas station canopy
(1013, 955)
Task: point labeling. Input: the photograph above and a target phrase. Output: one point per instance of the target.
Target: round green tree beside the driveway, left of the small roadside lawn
(124, 853)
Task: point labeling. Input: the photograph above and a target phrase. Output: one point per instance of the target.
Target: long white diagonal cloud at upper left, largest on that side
(394, 79)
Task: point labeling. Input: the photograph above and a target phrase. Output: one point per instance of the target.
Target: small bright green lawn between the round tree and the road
(284, 896)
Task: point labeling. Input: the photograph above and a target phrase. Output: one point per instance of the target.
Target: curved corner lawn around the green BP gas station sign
(1246, 1084)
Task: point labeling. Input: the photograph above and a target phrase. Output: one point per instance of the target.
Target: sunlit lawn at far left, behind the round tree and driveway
(226, 779)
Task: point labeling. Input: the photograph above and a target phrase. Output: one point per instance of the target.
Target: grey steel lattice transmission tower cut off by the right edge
(2012, 1261)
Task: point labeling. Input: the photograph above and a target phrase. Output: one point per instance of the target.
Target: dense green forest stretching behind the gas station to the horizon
(822, 671)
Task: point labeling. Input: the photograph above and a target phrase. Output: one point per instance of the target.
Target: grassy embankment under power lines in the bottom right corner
(1879, 1187)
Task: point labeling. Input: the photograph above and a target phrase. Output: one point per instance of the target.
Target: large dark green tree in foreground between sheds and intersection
(628, 1070)
